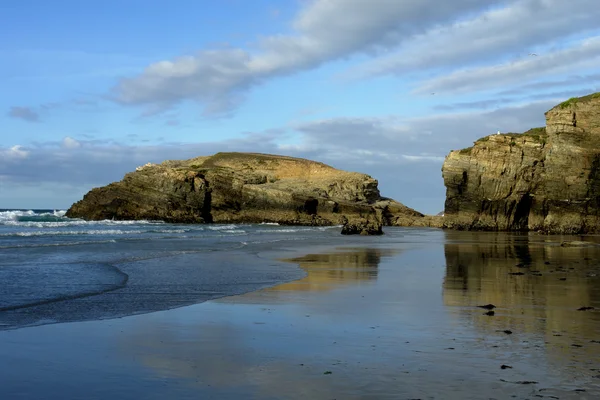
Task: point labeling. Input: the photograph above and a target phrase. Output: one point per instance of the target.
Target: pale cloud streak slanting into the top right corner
(512, 31)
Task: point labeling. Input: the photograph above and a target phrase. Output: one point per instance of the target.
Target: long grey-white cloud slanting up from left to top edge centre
(324, 30)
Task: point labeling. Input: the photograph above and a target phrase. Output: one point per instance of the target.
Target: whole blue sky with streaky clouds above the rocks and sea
(90, 90)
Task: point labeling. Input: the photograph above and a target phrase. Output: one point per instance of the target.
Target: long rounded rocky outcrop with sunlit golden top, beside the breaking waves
(242, 187)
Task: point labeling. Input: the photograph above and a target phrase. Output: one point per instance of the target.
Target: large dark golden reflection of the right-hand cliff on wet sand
(538, 287)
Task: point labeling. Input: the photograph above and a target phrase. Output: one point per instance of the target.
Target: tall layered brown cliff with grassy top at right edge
(545, 179)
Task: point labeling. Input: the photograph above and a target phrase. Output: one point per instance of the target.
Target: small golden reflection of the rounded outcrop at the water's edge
(349, 266)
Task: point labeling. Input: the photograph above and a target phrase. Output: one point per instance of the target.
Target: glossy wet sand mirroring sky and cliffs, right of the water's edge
(378, 321)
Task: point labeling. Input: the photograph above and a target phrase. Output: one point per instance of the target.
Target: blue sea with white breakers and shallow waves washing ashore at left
(57, 269)
